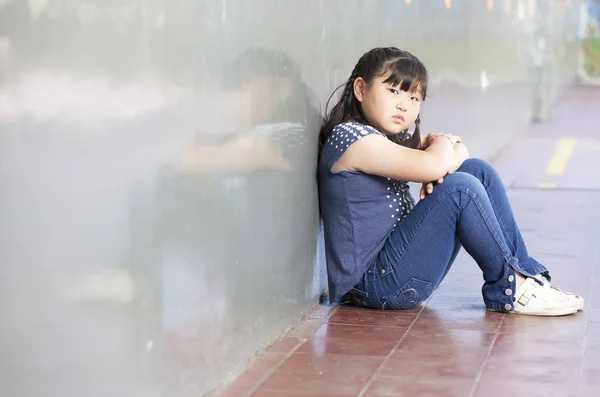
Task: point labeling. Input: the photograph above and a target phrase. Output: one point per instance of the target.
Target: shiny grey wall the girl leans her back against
(158, 214)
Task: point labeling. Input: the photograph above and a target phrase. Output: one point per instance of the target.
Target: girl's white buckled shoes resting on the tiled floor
(535, 299)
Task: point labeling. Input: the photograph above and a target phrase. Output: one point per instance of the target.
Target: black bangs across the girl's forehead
(410, 73)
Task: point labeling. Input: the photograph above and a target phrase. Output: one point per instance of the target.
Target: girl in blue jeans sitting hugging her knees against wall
(382, 250)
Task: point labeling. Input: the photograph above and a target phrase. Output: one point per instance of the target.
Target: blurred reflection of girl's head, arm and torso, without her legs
(264, 174)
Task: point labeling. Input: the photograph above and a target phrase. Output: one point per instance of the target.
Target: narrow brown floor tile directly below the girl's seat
(384, 318)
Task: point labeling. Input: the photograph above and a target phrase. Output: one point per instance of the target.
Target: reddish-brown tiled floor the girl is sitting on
(451, 346)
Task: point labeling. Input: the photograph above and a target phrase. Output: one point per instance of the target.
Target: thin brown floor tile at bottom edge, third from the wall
(402, 387)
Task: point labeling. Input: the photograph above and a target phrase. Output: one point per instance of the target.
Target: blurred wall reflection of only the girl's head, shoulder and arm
(263, 92)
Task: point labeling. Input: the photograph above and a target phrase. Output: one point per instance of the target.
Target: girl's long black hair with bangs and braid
(403, 68)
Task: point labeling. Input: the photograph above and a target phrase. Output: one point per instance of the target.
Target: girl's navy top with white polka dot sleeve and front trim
(359, 211)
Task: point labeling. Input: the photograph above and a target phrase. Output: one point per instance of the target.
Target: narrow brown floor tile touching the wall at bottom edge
(258, 370)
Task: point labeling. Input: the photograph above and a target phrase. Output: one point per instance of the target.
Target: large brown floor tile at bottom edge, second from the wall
(331, 374)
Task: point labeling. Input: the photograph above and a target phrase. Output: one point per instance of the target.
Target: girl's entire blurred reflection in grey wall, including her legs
(240, 216)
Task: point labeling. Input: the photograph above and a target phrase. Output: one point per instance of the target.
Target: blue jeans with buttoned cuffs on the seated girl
(469, 209)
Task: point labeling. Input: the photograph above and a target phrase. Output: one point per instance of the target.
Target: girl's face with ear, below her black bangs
(386, 106)
